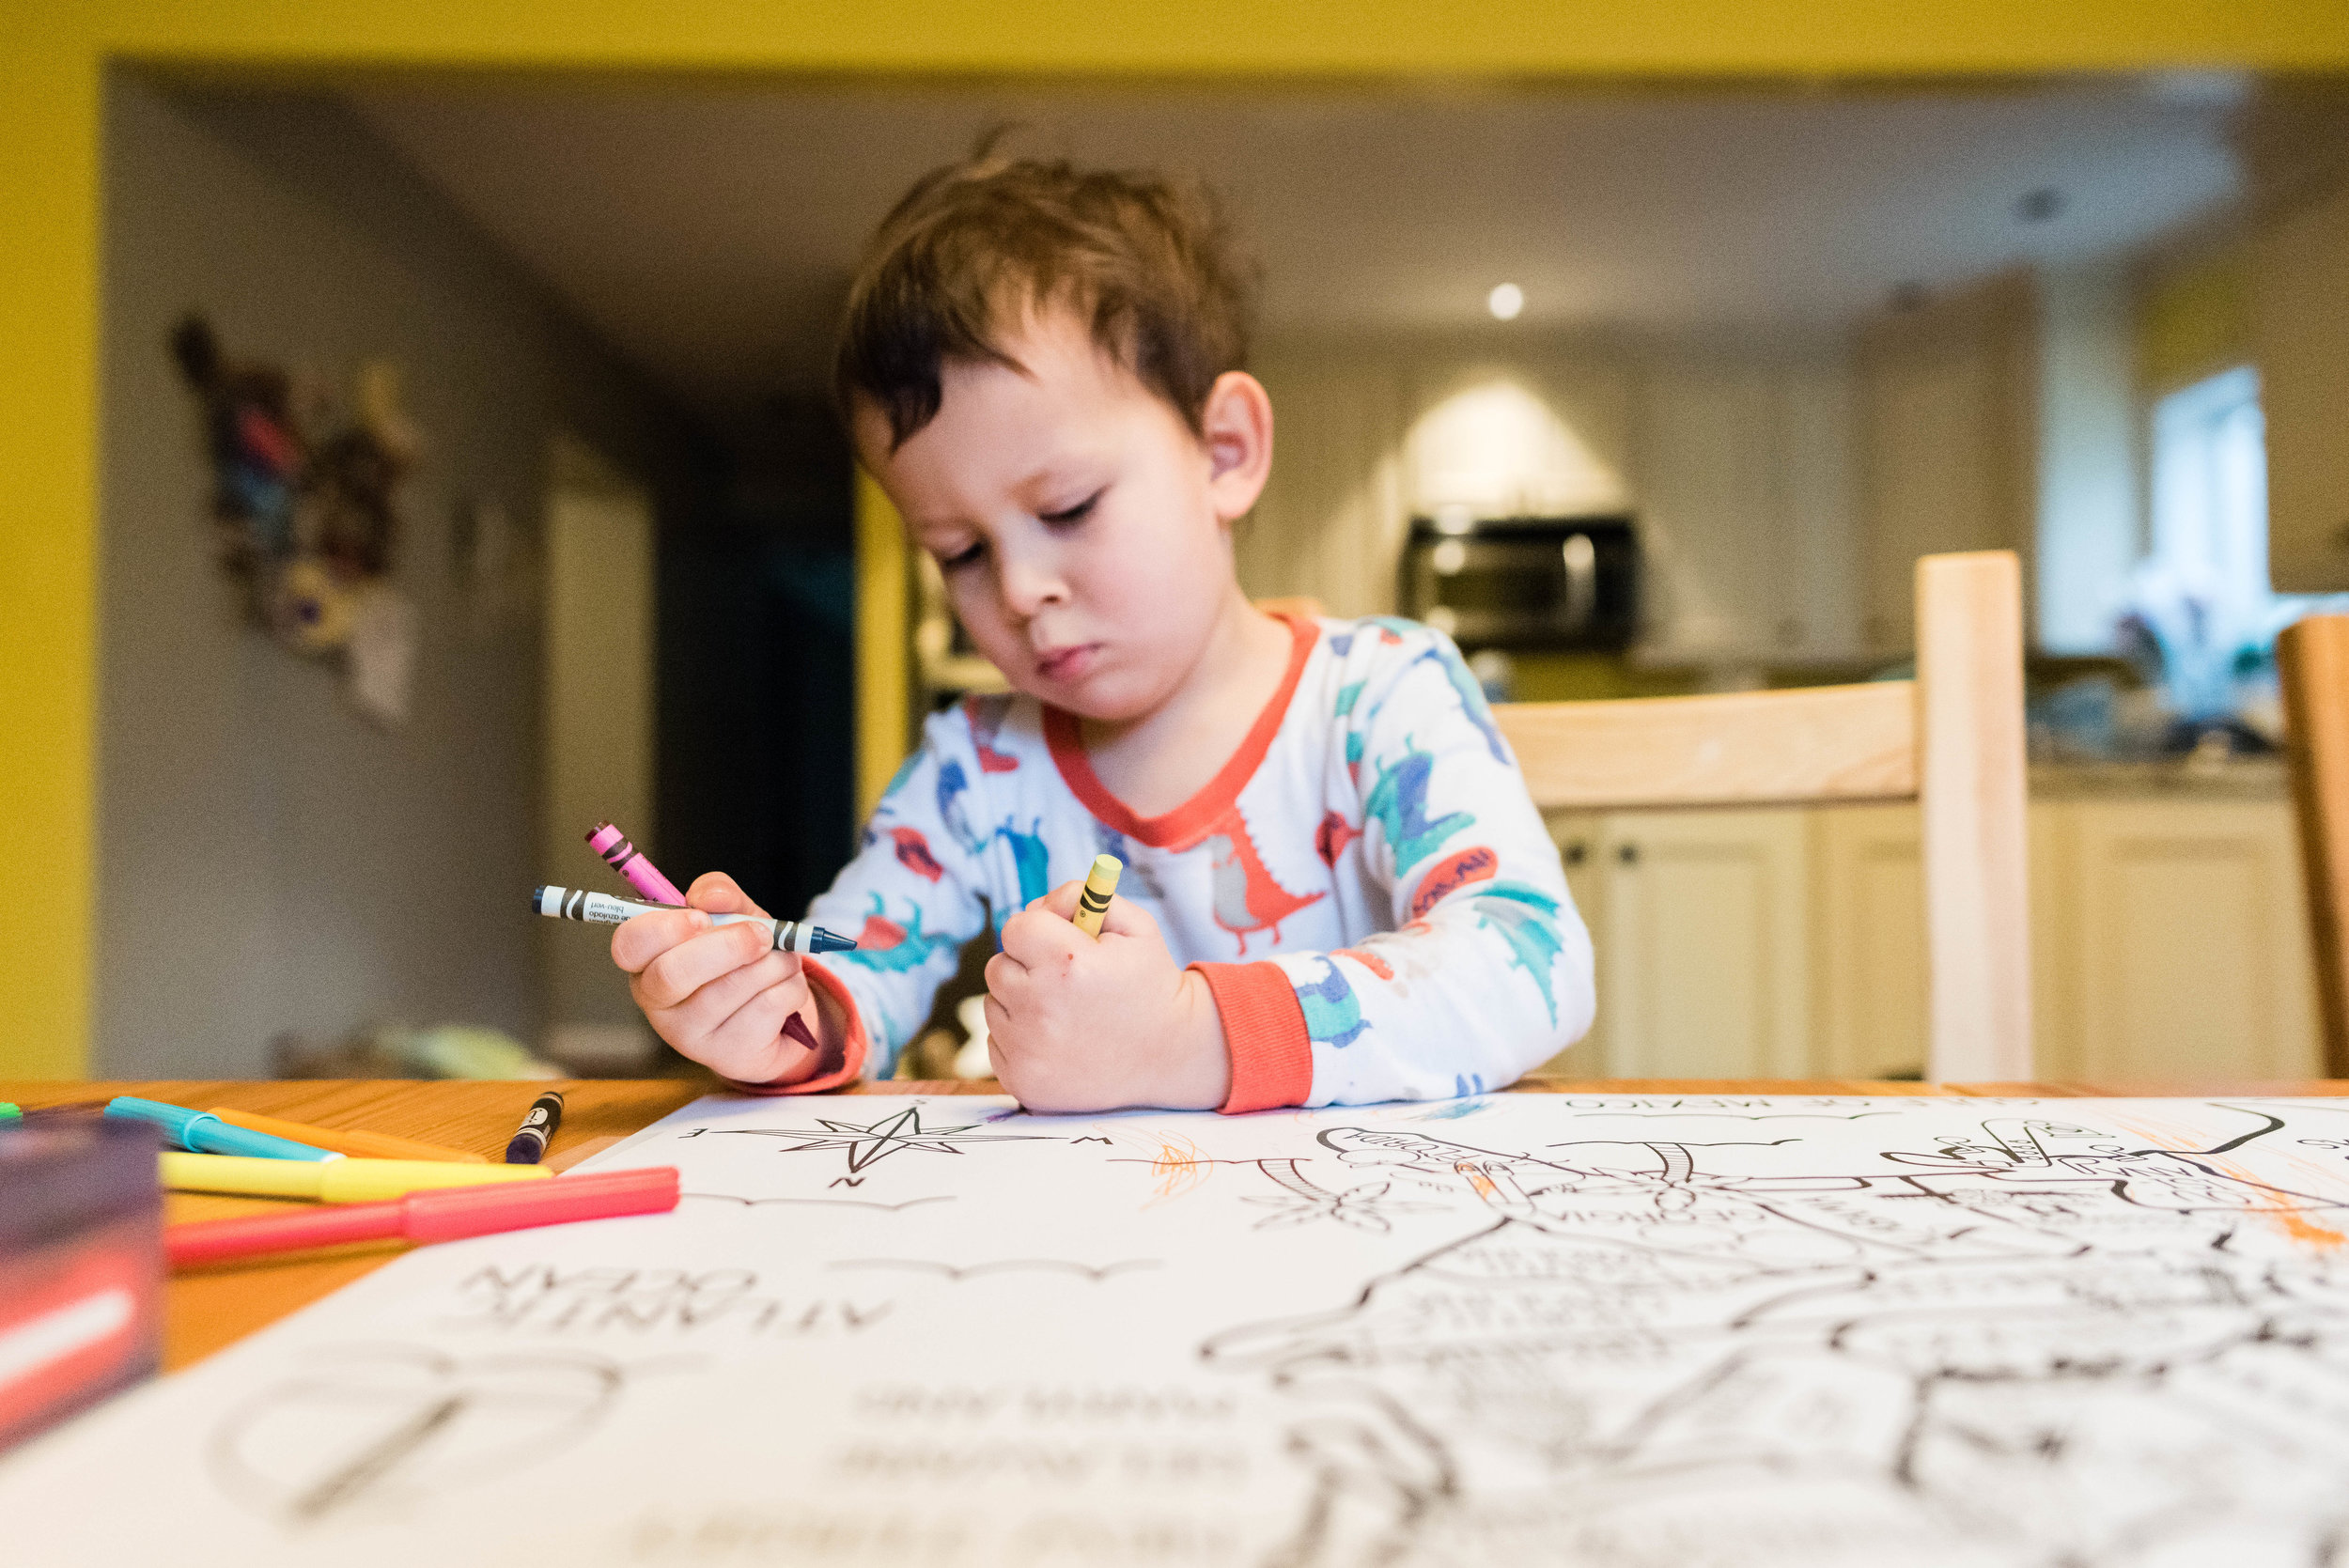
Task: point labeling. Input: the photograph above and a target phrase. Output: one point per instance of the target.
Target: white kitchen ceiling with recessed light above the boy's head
(711, 231)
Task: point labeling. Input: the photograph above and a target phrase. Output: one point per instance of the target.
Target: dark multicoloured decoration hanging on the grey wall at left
(304, 503)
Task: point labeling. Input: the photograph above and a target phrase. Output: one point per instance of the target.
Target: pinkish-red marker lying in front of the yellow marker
(440, 1215)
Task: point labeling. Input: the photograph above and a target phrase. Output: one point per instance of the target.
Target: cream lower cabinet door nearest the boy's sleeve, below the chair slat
(1704, 945)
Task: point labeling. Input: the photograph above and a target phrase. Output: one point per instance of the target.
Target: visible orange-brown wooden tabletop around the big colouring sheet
(217, 1306)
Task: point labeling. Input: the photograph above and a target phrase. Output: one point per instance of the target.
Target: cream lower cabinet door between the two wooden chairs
(2193, 942)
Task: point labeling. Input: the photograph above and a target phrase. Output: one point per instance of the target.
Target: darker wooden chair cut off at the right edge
(2315, 665)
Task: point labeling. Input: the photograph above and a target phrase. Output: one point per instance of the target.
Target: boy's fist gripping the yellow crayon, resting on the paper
(1096, 1025)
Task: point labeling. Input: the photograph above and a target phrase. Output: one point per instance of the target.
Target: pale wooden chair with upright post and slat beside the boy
(1948, 741)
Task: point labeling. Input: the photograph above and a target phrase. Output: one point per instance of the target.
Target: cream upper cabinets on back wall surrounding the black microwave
(1739, 466)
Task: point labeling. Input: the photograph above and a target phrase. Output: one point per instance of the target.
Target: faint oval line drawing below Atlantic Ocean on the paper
(386, 1426)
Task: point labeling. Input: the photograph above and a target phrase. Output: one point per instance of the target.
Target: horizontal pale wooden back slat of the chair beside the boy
(1824, 743)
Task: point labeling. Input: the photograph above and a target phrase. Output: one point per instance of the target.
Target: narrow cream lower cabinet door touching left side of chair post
(1871, 957)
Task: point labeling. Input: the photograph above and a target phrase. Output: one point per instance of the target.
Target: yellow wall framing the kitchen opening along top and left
(48, 219)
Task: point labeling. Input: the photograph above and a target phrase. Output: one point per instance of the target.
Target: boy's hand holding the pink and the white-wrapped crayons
(722, 994)
